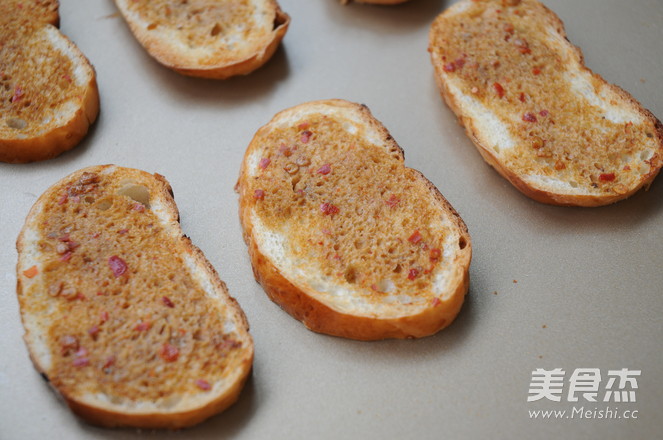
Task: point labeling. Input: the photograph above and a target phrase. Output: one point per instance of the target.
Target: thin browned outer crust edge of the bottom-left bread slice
(155, 420)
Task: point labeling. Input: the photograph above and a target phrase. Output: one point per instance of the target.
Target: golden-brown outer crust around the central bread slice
(321, 318)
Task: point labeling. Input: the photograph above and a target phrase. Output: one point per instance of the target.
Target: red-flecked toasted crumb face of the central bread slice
(344, 207)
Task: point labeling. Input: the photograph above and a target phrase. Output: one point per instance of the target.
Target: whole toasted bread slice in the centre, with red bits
(342, 235)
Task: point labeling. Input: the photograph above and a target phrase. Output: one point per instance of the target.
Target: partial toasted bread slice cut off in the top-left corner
(48, 88)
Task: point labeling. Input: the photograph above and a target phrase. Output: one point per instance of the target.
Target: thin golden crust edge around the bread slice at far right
(481, 142)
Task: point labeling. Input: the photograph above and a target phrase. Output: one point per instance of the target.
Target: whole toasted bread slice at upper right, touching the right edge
(558, 132)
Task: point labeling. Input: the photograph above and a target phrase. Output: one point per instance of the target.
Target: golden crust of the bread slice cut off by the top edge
(222, 68)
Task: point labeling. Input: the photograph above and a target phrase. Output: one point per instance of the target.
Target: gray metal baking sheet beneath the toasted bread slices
(551, 287)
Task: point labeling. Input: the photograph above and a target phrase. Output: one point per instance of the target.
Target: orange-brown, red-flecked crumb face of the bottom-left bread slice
(133, 324)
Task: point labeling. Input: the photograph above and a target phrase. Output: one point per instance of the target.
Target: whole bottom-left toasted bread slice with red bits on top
(122, 313)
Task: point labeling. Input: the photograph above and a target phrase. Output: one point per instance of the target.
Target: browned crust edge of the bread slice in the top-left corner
(62, 138)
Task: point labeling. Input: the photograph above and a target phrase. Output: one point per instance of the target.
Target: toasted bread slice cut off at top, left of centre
(207, 38)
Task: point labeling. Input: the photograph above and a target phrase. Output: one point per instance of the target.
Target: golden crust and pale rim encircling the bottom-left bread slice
(86, 406)
